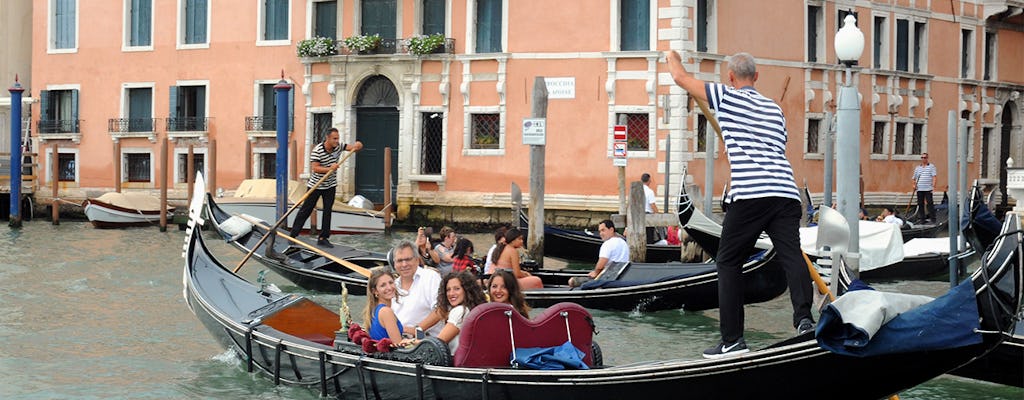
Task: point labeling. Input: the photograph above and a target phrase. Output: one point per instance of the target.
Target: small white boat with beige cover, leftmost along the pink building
(116, 210)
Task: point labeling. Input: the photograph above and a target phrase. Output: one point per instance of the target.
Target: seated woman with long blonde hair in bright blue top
(379, 317)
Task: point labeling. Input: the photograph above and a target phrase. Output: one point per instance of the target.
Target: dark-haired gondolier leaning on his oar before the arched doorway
(323, 160)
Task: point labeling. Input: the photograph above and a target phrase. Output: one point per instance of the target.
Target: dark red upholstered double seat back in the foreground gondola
(485, 339)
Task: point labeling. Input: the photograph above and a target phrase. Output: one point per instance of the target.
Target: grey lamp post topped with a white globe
(849, 47)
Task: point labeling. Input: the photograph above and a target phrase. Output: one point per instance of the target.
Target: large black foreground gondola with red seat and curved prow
(272, 334)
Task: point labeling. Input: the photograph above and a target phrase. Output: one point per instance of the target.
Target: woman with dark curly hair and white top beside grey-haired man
(459, 294)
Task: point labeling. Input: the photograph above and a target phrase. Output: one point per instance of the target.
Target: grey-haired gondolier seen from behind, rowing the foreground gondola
(763, 196)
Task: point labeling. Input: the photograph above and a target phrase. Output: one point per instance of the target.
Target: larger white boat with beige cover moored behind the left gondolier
(257, 198)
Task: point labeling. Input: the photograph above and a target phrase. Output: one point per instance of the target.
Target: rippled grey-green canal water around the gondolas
(97, 315)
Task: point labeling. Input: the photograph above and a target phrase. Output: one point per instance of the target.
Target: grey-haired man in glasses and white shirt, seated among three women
(417, 289)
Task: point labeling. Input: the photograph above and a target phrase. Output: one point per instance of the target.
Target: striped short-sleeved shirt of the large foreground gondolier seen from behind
(755, 139)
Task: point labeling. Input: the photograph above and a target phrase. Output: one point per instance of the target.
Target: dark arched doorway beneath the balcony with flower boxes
(377, 127)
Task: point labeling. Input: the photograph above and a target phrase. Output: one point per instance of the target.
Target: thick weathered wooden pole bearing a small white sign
(535, 243)
